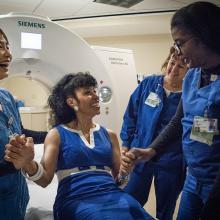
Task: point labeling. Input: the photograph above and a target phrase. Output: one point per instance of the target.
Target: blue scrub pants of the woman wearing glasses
(193, 198)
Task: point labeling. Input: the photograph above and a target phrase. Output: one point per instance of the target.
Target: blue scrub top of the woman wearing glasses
(203, 160)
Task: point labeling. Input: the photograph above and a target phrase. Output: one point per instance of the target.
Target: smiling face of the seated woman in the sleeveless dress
(88, 101)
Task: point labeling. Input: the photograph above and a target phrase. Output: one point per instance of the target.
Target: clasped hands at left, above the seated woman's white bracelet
(20, 151)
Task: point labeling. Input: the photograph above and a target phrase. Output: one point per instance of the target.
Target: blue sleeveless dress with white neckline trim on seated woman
(90, 194)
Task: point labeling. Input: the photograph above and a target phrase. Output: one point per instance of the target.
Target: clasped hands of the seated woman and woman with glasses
(129, 157)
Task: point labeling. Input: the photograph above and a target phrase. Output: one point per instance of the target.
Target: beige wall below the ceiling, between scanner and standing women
(150, 51)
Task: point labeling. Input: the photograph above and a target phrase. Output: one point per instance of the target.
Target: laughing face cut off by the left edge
(5, 57)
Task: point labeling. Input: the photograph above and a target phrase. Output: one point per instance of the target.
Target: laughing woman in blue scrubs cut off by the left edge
(13, 188)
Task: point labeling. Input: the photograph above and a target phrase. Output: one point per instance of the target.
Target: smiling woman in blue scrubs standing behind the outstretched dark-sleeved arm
(150, 108)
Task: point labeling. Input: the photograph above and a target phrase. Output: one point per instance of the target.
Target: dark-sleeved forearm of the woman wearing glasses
(171, 132)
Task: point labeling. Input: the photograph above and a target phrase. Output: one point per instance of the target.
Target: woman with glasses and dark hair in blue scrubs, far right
(196, 32)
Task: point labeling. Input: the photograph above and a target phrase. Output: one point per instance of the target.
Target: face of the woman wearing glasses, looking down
(190, 48)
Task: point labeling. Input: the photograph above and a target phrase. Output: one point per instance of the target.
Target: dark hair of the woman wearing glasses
(201, 19)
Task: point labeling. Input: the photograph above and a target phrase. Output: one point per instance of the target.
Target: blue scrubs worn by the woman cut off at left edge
(13, 188)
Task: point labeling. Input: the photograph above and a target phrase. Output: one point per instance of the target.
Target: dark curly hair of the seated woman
(65, 88)
